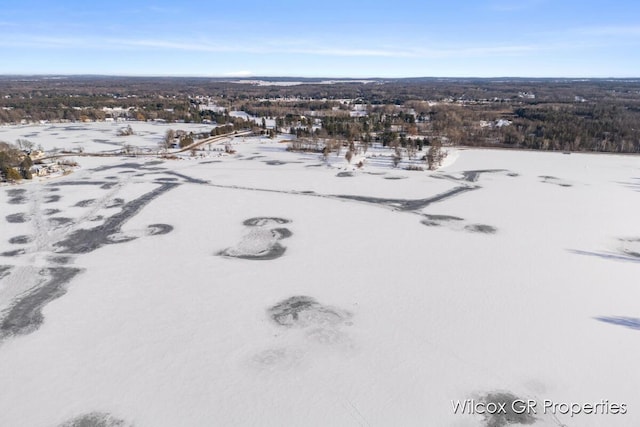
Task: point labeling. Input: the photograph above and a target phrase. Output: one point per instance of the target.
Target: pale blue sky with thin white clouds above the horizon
(329, 38)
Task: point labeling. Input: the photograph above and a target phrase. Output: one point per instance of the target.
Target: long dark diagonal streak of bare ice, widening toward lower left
(88, 240)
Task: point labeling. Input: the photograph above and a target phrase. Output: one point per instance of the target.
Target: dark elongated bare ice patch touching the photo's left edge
(25, 315)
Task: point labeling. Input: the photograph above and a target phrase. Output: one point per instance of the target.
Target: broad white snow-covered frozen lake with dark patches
(265, 288)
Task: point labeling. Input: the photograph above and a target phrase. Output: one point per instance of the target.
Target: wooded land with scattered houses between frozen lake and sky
(406, 116)
